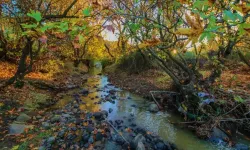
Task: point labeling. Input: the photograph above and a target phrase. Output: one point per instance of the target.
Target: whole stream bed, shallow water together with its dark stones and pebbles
(98, 115)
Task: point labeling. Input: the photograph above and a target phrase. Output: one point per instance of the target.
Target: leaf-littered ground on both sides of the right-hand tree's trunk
(153, 80)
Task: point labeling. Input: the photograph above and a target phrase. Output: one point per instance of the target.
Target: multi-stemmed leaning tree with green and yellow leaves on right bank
(167, 28)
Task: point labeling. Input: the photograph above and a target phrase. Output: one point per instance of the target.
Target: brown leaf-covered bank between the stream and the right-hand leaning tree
(142, 83)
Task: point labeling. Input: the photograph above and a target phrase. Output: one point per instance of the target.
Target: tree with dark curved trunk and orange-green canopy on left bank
(48, 18)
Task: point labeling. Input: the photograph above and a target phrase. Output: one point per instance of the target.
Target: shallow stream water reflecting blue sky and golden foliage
(123, 104)
